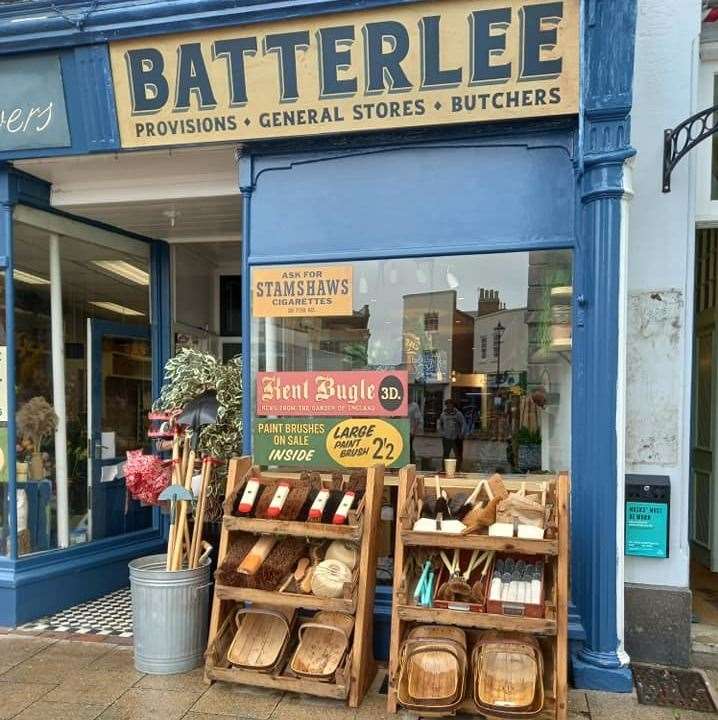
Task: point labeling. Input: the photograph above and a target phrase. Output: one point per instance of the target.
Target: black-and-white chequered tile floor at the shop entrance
(110, 615)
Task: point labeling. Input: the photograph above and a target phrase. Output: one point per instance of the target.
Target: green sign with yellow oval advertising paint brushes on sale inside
(332, 443)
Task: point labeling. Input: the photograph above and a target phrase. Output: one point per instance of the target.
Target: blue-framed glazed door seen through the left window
(119, 398)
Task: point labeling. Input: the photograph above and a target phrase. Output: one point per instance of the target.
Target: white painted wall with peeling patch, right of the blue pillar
(659, 277)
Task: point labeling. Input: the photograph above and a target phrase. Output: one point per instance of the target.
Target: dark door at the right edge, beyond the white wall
(704, 544)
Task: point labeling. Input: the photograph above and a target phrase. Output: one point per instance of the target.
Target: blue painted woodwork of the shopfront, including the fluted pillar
(474, 189)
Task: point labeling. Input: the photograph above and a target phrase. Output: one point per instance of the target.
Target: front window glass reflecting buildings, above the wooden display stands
(435, 318)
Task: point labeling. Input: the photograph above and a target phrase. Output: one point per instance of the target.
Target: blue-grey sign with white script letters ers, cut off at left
(32, 104)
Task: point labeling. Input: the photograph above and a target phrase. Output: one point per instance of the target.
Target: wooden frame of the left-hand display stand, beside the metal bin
(353, 679)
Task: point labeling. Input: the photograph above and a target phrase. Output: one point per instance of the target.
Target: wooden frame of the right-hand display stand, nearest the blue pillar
(552, 630)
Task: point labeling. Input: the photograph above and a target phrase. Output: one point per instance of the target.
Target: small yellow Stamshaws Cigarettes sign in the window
(302, 291)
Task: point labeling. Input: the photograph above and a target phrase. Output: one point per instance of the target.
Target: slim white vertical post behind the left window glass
(58, 393)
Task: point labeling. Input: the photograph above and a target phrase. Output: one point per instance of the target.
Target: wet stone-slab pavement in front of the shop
(47, 678)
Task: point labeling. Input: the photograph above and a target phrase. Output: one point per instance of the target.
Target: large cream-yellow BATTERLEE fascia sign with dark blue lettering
(417, 64)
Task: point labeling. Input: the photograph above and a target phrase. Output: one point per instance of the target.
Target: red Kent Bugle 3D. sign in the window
(351, 393)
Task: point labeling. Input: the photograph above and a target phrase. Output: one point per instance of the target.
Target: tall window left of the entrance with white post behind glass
(77, 495)
